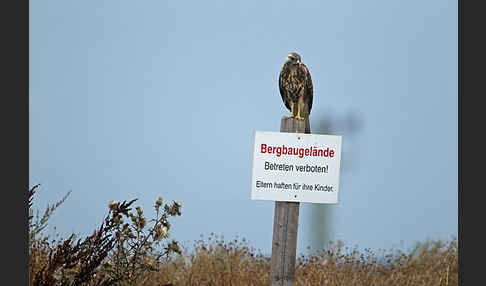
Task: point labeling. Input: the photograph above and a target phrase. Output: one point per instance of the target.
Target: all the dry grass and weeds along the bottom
(128, 249)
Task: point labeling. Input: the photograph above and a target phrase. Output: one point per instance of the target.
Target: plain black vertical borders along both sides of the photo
(15, 140)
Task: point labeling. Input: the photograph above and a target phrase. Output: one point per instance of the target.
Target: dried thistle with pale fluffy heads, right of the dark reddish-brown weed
(139, 245)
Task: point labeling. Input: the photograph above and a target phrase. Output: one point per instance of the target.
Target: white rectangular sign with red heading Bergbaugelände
(296, 167)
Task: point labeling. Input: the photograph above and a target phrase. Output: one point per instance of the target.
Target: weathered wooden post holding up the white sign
(285, 226)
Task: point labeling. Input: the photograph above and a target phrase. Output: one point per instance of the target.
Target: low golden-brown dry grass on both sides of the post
(233, 263)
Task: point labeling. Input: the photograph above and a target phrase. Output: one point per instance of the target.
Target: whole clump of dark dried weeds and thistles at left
(117, 253)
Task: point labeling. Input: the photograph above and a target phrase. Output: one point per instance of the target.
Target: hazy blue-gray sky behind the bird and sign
(140, 99)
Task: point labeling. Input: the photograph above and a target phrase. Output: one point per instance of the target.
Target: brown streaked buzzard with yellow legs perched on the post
(295, 84)
